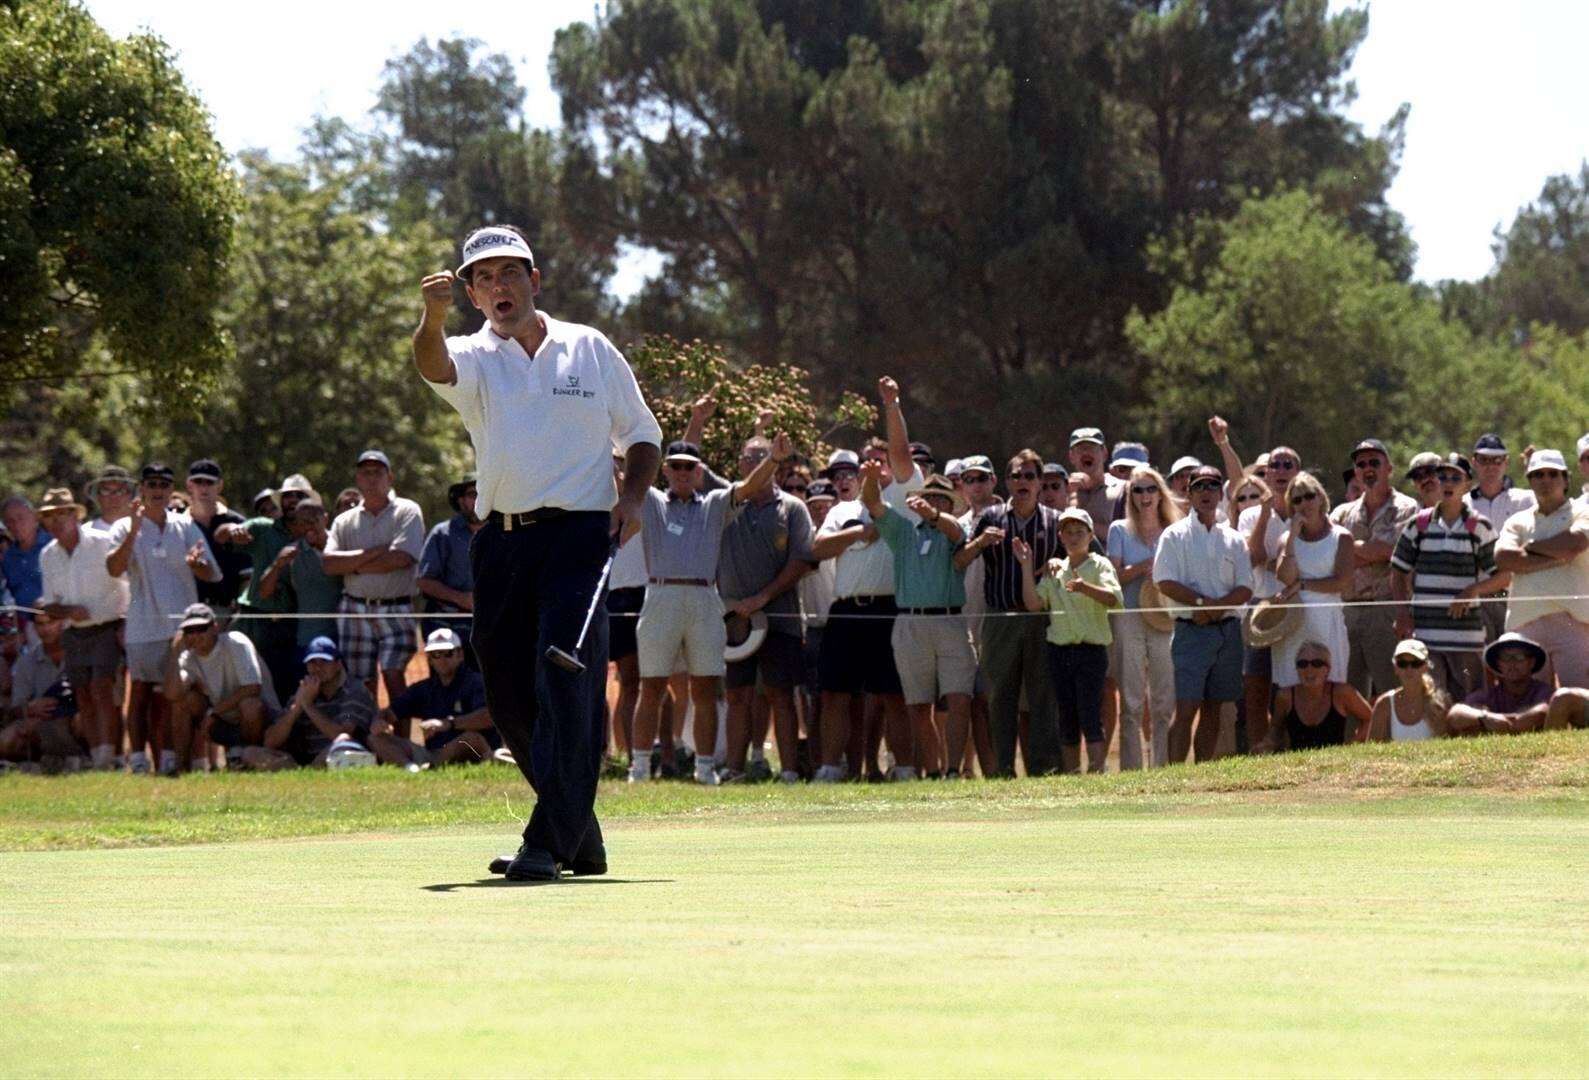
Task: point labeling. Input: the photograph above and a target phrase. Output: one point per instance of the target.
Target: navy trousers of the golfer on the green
(533, 587)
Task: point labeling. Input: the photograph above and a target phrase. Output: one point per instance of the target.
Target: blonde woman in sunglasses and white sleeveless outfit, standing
(1315, 568)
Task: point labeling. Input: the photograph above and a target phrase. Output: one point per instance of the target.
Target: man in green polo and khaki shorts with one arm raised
(932, 642)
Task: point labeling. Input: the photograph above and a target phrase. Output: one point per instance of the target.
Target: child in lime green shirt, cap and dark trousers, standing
(1078, 590)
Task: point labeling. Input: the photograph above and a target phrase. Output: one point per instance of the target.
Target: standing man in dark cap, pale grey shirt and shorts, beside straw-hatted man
(161, 555)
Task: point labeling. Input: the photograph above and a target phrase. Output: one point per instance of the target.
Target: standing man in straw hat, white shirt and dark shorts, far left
(80, 590)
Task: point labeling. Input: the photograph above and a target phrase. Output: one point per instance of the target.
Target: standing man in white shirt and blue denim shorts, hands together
(1204, 566)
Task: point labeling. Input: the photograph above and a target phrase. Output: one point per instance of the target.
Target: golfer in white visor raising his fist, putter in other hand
(547, 406)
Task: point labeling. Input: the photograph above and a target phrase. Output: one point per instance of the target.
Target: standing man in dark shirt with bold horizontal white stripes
(1444, 561)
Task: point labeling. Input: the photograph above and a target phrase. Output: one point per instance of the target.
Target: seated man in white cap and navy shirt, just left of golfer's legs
(450, 709)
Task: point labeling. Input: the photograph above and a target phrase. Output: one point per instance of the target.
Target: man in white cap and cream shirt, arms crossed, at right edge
(1545, 552)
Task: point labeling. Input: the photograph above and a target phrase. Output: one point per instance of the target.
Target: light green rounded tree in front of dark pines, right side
(1296, 333)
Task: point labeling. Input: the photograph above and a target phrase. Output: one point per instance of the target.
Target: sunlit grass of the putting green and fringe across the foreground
(1367, 911)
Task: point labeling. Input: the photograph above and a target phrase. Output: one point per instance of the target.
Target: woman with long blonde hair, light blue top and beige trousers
(1143, 652)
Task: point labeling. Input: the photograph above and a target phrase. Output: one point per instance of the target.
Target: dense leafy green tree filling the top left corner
(117, 206)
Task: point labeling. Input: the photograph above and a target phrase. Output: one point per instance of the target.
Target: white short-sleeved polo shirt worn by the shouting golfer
(546, 428)
